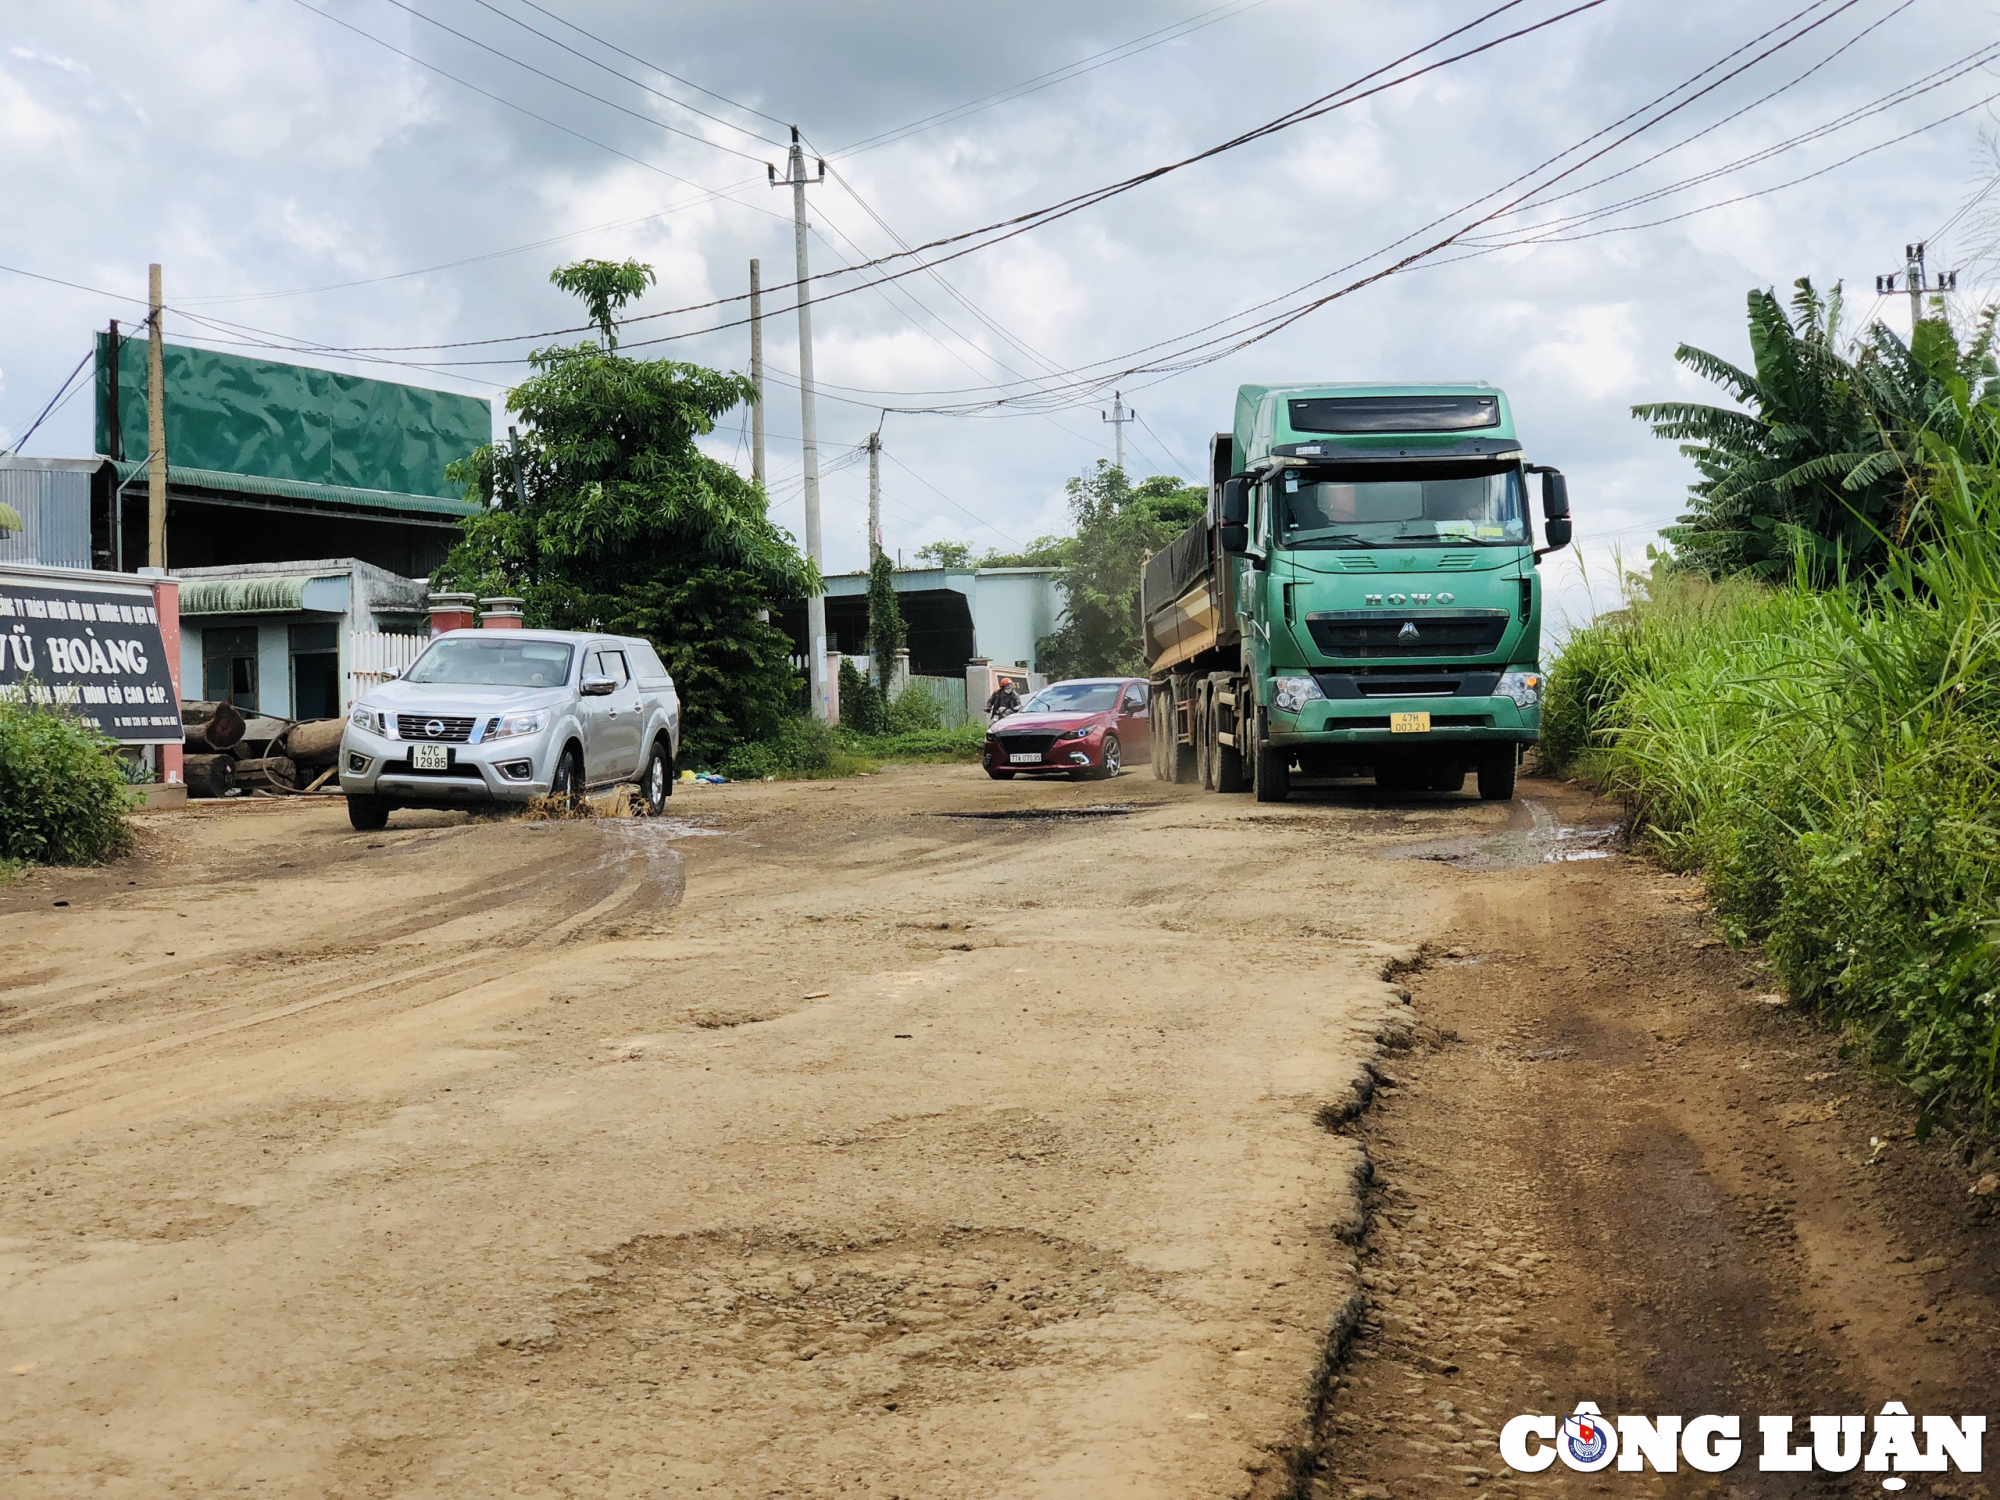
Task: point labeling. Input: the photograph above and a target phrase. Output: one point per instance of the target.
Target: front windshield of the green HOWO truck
(1441, 505)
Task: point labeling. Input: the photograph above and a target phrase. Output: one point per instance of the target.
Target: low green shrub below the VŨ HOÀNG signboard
(63, 799)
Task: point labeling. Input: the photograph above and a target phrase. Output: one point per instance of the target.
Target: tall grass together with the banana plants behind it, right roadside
(1803, 699)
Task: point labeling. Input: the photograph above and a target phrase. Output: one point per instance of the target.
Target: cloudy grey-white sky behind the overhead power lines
(379, 173)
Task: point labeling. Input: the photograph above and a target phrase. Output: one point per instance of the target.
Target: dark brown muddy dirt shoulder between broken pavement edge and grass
(1613, 1173)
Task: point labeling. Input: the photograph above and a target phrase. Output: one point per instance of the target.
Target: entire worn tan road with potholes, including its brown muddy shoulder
(901, 1139)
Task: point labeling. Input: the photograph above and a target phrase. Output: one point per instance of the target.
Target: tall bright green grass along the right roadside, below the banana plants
(1831, 761)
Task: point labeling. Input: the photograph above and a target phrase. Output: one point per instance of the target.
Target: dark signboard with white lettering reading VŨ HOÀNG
(93, 651)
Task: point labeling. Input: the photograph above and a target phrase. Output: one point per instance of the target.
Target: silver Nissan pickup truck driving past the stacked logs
(509, 717)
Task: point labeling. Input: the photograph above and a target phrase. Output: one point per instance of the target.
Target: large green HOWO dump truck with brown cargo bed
(1361, 599)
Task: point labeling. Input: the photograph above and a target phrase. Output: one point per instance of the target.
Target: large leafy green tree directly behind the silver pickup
(629, 527)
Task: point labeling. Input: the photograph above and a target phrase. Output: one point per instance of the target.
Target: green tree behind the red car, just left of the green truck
(1119, 527)
